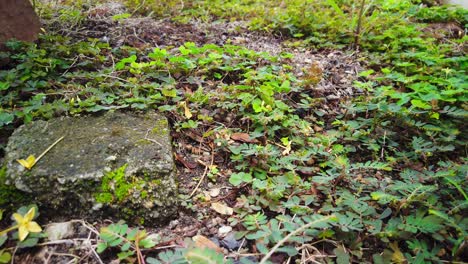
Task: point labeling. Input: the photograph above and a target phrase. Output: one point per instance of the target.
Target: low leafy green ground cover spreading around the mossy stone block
(320, 131)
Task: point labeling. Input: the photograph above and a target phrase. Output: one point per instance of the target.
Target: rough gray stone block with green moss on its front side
(69, 178)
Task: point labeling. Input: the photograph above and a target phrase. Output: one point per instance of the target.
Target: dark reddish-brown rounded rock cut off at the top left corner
(18, 20)
